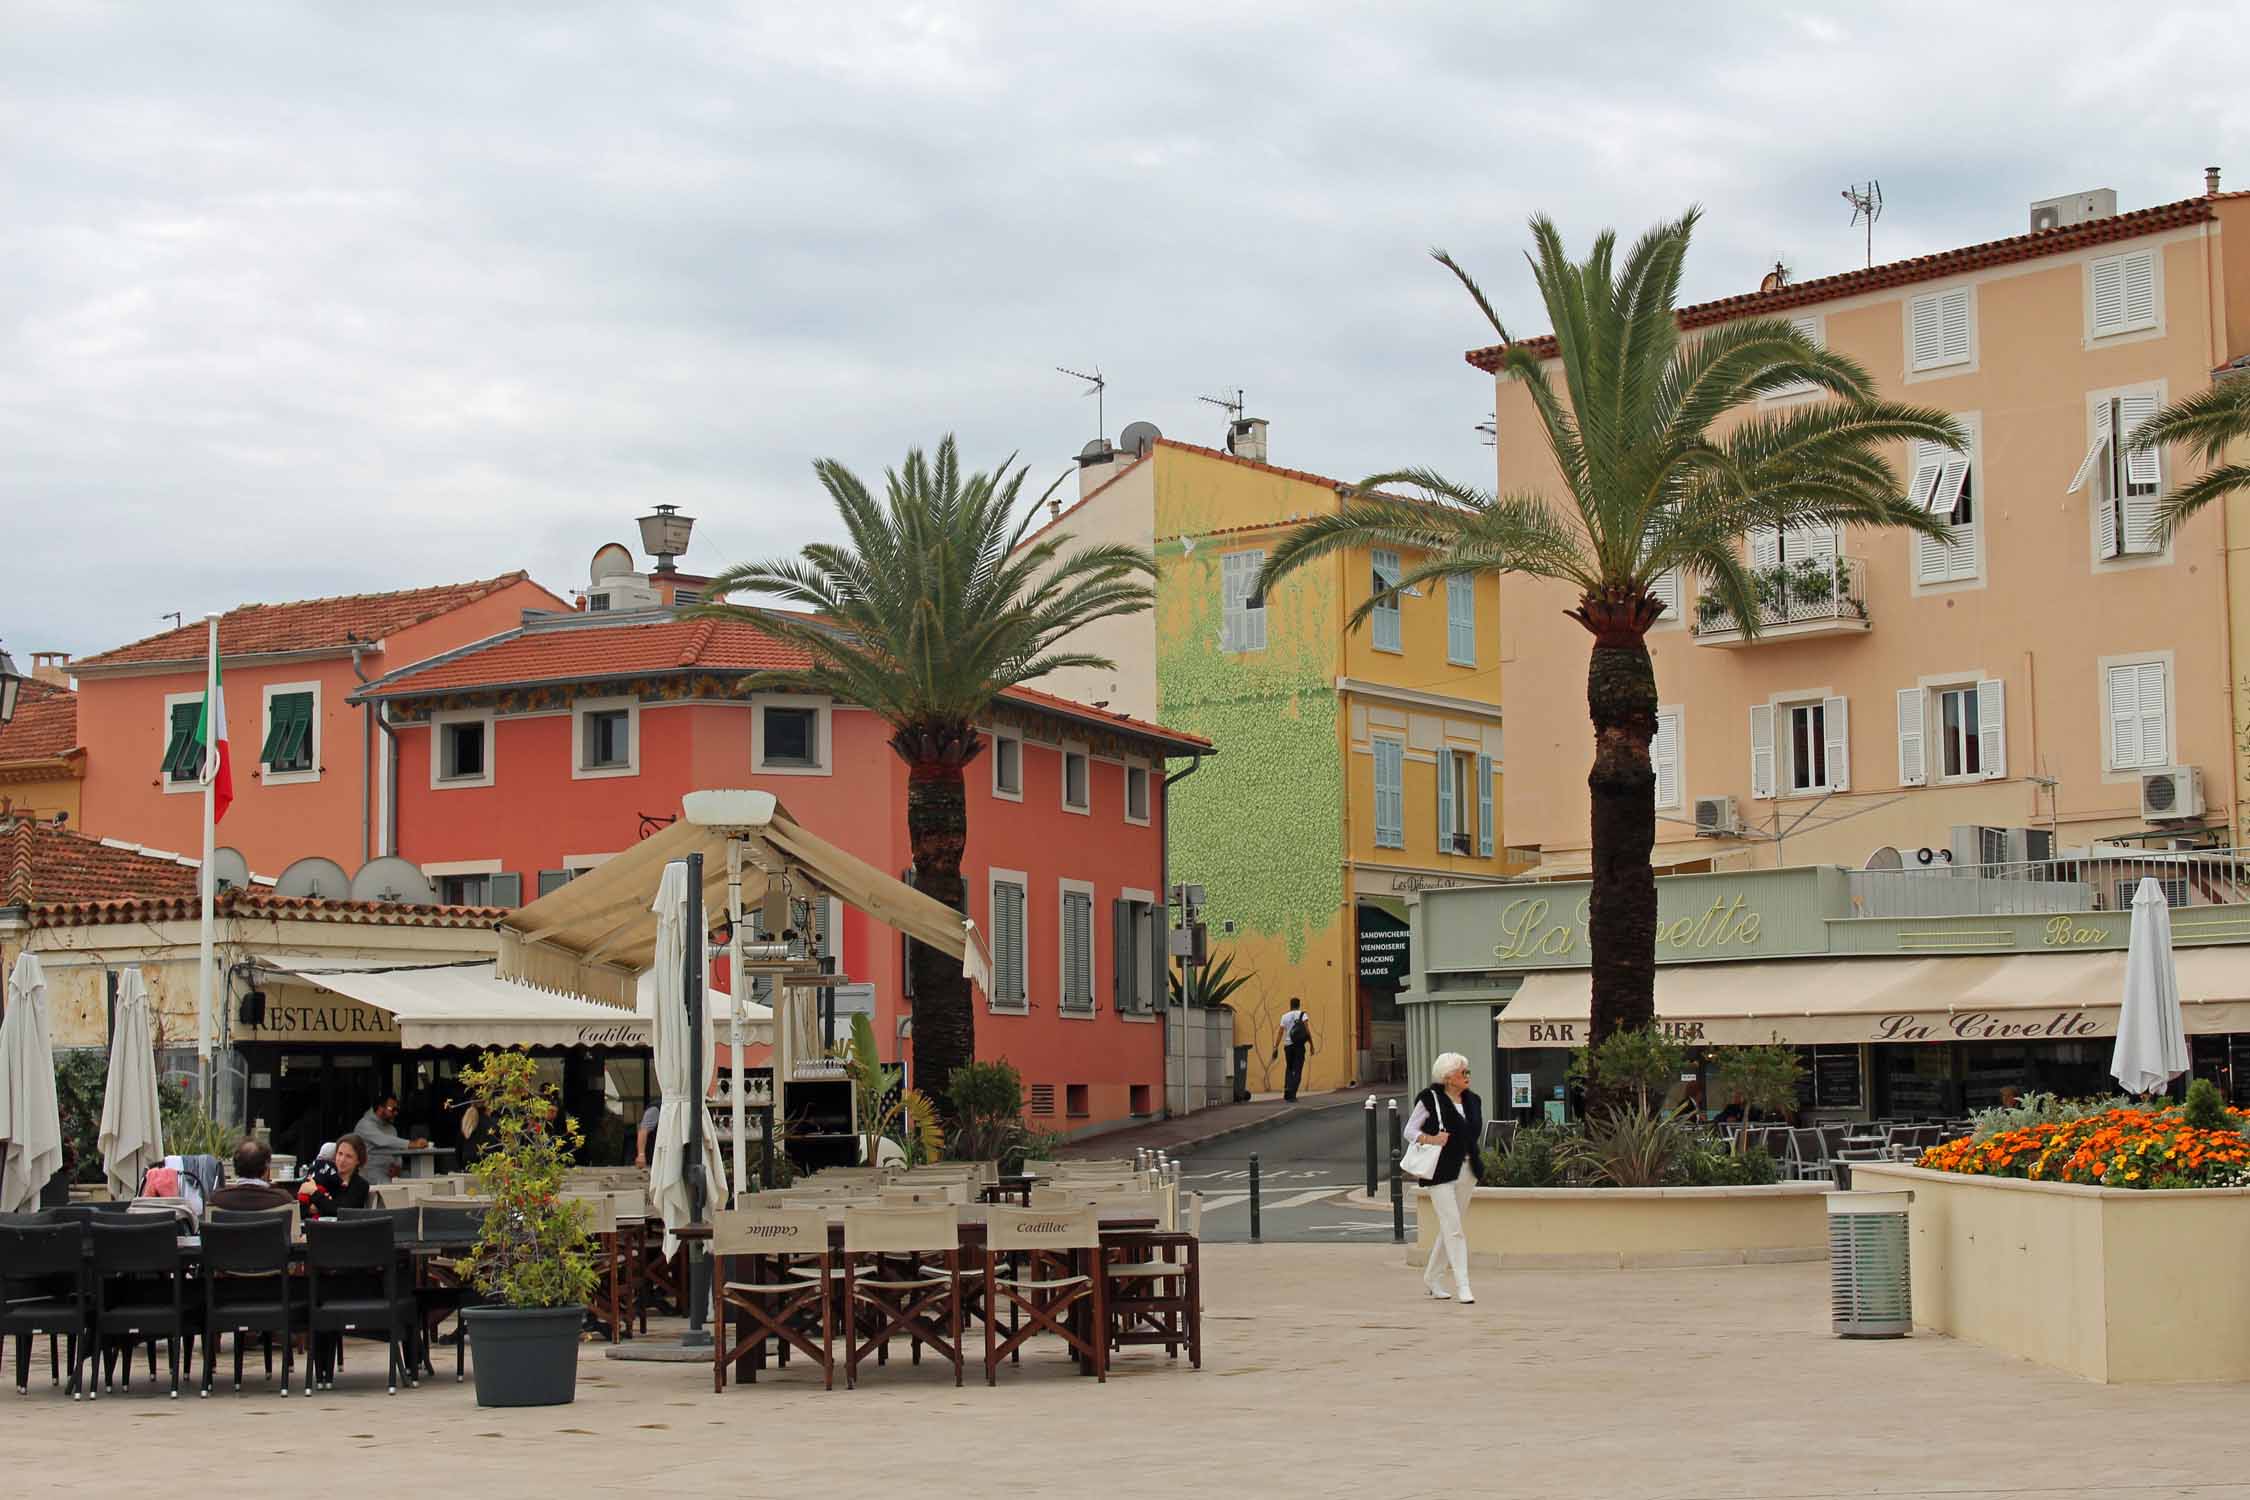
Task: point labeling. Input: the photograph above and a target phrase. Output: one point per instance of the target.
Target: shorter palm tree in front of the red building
(928, 615)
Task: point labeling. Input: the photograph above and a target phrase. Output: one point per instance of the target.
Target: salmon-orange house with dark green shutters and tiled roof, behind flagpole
(309, 766)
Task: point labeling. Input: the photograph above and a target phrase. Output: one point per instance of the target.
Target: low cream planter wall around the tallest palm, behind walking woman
(1527, 1229)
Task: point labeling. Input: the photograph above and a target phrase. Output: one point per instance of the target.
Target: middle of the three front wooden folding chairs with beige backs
(890, 1281)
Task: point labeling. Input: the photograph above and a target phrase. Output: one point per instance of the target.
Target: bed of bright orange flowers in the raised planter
(2121, 1148)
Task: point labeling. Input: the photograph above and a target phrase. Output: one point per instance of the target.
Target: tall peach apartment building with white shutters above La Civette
(2053, 671)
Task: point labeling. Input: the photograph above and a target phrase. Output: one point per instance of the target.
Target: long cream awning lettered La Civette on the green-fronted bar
(2028, 997)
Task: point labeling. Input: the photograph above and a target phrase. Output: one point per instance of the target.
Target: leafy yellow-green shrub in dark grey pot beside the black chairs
(530, 1260)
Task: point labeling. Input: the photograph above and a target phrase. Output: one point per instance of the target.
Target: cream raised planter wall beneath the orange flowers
(2105, 1283)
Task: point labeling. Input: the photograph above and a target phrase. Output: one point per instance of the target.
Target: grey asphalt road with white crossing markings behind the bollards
(1304, 1171)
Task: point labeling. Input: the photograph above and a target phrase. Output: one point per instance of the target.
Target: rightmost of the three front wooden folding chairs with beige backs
(1045, 1265)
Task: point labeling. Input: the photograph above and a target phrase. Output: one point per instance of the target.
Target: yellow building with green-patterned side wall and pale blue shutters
(1353, 768)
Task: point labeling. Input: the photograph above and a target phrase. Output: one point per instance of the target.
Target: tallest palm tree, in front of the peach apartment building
(1648, 489)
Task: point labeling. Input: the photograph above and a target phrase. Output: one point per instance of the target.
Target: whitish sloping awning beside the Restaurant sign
(474, 1009)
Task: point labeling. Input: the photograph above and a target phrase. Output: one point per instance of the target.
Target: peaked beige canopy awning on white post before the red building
(597, 934)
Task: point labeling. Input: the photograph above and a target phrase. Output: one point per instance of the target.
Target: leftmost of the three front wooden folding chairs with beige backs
(789, 1278)
